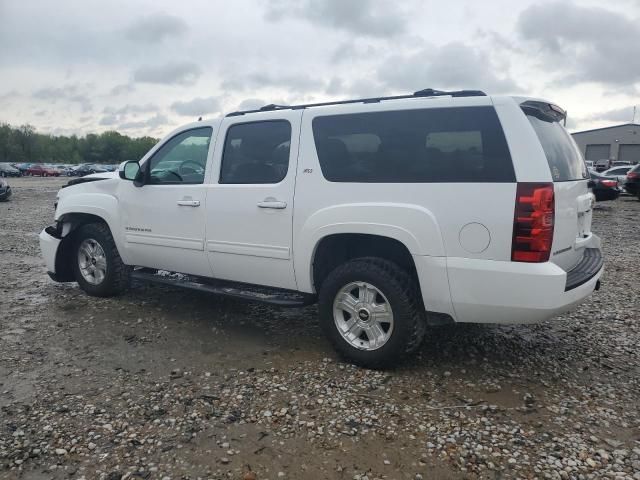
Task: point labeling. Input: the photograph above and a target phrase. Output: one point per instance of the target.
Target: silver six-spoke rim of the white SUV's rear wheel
(363, 316)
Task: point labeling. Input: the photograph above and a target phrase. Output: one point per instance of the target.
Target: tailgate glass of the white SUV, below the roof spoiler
(564, 158)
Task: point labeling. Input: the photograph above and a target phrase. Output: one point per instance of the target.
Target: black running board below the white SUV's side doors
(253, 293)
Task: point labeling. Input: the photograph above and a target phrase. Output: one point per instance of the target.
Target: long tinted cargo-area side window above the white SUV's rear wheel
(411, 146)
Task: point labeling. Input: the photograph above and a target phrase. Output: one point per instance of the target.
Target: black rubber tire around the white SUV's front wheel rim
(116, 279)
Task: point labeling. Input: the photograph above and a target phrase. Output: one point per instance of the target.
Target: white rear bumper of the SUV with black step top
(484, 291)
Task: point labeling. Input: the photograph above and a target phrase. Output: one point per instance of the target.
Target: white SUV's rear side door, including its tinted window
(250, 203)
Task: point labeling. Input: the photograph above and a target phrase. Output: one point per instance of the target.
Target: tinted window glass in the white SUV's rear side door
(256, 152)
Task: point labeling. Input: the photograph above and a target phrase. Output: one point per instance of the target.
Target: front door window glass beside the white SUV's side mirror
(183, 159)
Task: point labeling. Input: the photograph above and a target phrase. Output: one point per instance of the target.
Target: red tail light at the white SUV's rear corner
(533, 222)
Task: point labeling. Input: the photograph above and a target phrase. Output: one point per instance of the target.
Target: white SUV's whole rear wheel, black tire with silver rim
(370, 310)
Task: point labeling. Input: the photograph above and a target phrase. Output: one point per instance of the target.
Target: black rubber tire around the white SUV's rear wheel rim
(402, 293)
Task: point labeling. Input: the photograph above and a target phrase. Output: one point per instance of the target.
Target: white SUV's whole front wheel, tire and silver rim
(98, 268)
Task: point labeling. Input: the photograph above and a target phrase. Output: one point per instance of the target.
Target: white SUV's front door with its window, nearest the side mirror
(163, 221)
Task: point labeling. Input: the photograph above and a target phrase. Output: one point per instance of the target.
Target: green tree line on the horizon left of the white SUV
(24, 145)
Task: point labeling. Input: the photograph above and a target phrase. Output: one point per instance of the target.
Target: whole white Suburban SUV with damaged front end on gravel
(393, 213)
